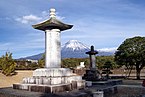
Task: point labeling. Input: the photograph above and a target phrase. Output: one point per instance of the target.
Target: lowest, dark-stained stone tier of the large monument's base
(46, 88)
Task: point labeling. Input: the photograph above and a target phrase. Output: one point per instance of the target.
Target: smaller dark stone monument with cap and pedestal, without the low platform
(92, 74)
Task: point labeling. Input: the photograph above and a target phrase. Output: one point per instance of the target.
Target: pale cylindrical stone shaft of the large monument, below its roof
(52, 48)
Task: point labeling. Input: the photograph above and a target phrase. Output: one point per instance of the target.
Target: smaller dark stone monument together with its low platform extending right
(93, 76)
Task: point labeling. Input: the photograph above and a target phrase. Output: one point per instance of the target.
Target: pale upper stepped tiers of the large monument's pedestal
(52, 76)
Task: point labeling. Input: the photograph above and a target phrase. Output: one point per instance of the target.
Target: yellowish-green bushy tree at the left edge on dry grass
(7, 64)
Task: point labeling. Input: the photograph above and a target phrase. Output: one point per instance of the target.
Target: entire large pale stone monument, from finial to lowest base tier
(52, 78)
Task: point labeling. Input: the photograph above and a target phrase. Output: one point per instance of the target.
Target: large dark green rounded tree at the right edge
(132, 53)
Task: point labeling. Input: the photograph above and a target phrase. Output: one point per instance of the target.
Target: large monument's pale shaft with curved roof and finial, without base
(52, 28)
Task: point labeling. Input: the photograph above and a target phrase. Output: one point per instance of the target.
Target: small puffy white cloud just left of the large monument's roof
(28, 19)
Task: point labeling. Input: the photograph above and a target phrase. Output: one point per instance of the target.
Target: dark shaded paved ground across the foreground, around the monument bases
(130, 88)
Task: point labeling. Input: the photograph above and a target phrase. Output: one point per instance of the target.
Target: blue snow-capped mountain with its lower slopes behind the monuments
(74, 49)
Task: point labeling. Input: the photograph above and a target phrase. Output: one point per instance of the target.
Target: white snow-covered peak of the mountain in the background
(74, 45)
